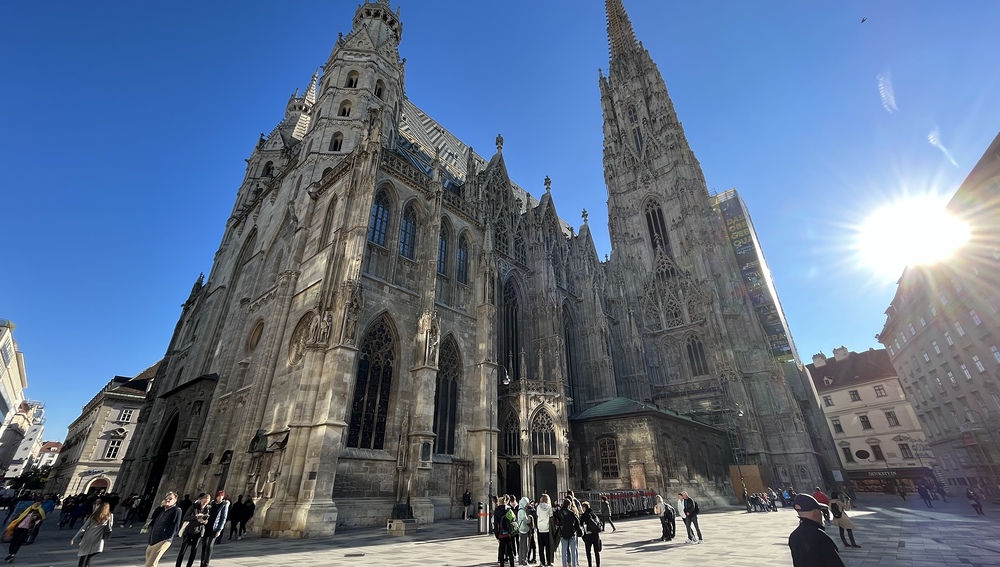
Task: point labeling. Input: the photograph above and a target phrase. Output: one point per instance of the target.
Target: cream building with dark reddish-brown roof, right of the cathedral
(874, 426)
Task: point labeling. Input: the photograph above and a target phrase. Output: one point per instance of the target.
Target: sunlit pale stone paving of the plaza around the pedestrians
(891, 532)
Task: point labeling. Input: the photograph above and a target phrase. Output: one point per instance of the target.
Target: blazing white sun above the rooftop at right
(910, 231)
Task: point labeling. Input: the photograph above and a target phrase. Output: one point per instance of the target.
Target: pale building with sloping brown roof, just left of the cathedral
(97, 440)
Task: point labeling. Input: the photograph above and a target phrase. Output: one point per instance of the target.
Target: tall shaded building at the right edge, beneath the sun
(942, 332)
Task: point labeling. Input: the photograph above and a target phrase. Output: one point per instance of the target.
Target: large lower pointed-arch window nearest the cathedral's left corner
(372, 387)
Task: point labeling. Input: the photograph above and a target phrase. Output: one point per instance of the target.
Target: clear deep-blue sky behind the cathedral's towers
(126, 126)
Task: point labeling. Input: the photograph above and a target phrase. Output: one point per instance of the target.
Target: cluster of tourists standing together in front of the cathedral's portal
(531, 530)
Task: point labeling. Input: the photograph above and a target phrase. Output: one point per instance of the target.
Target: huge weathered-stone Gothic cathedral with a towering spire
(390, 320)
